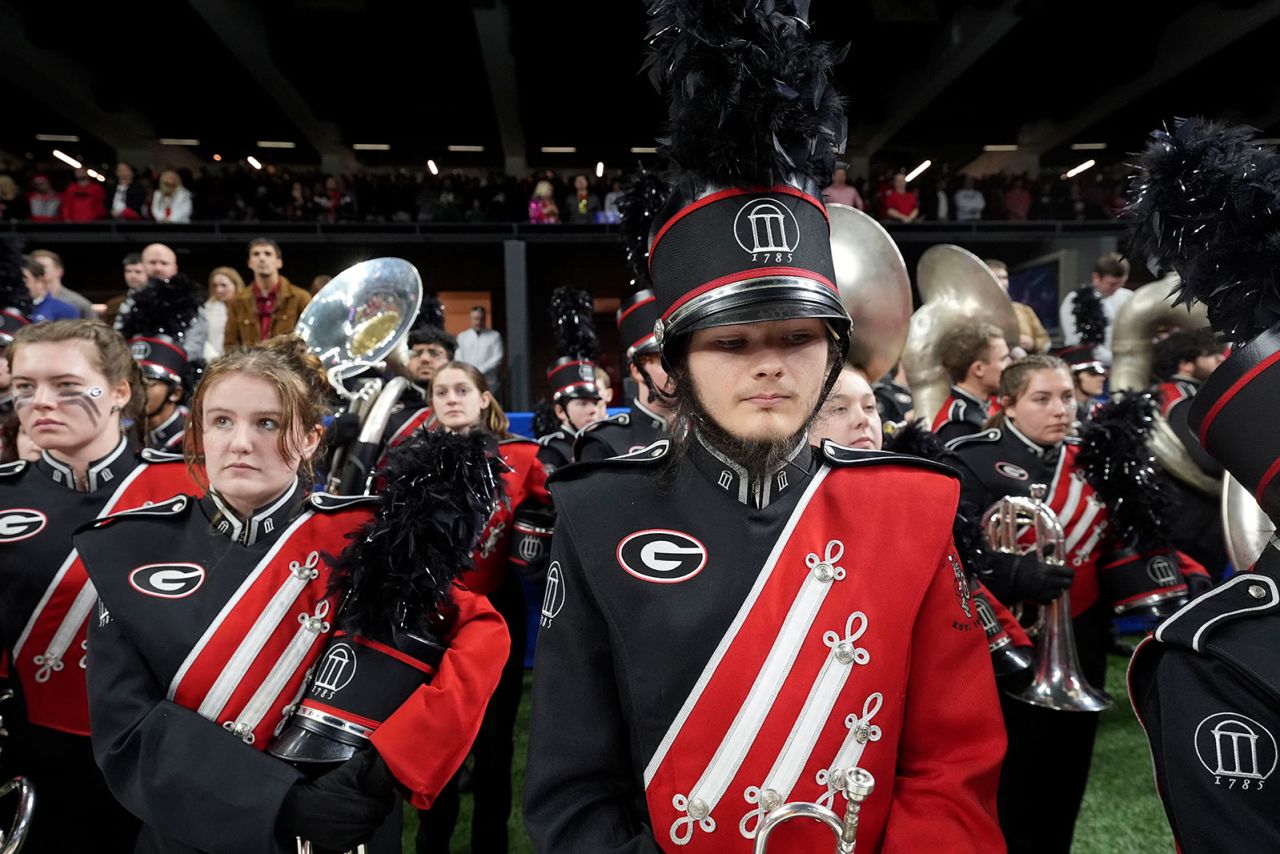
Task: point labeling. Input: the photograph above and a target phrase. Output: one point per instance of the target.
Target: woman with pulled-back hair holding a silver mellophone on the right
(1045, 773)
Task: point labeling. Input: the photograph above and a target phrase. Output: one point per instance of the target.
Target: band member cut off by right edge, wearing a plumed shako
(1206, 684)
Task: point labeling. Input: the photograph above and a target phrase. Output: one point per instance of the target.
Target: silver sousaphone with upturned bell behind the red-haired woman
(353, 326)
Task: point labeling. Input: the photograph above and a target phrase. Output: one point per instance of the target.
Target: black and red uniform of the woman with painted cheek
(47, 602)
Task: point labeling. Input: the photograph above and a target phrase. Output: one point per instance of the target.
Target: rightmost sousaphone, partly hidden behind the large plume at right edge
(1133, 339)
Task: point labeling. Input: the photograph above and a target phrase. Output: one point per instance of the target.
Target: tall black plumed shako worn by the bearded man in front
(755, 125)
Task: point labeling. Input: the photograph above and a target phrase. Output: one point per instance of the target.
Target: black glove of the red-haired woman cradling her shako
(341, 810)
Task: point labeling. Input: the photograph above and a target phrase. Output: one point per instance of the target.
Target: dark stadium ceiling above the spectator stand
(925, 79)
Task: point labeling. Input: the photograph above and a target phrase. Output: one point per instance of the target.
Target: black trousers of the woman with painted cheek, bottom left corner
(75, 811)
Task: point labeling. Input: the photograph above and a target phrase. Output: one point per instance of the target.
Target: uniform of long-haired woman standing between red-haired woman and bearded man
(516, 540)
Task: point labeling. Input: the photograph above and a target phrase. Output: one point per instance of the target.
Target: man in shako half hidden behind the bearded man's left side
(651, 409)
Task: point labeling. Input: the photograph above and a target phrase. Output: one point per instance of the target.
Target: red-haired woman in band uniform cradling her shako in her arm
(213, 610)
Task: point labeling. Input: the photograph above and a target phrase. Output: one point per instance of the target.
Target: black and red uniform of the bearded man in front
(714, 645)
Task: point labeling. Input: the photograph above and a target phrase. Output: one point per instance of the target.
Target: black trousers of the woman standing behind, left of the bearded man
(492, 752)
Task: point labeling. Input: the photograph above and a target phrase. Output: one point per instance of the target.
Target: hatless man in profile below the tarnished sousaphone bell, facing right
(975, 357)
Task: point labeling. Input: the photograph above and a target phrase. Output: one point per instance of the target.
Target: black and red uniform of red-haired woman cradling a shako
(204, 641)
